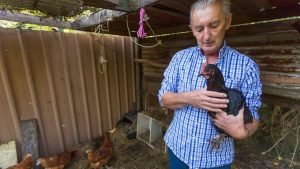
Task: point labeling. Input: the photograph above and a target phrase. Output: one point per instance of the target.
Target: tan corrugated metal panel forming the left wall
(53, 77)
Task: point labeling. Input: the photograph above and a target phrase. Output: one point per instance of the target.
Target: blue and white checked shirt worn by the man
(191, 130)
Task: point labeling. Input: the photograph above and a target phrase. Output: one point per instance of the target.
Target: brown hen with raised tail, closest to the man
(100, 157)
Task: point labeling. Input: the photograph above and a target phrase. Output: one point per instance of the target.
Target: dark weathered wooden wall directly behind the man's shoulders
(277, 53)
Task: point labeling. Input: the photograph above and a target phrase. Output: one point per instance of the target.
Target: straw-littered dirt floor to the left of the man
(128, 153)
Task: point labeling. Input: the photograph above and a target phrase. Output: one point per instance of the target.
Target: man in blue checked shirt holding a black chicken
(189, 134)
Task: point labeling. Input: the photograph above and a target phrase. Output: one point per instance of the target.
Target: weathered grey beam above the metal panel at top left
(18, 17)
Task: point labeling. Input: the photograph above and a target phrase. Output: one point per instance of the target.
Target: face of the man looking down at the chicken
(208, 26)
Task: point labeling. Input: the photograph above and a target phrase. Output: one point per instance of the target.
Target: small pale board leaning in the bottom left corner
(8, 154)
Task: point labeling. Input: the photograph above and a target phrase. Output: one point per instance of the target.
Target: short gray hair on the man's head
(201, 4)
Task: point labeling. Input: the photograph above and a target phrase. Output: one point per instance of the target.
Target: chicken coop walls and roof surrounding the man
(71, 69)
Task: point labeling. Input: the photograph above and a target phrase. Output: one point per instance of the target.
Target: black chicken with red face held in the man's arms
(215, 82)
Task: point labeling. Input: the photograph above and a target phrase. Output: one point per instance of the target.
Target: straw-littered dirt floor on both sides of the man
(135, 154)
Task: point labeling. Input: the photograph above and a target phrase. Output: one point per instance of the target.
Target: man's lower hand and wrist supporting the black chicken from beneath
(234, 125)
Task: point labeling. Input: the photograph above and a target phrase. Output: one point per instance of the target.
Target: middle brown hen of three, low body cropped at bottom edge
(58, 161)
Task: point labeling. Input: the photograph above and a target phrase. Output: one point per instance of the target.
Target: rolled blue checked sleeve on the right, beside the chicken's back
(252, 89)
